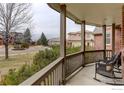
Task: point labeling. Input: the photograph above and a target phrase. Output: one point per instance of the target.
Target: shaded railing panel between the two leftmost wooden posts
(73, 62)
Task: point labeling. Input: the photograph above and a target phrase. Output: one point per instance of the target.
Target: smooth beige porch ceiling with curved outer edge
(93, 13)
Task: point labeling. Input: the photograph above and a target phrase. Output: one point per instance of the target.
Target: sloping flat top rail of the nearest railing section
(42, 72)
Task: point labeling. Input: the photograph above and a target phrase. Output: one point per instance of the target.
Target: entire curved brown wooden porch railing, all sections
(53, 73)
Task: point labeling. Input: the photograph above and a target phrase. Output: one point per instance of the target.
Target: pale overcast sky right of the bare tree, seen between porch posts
(47, 20)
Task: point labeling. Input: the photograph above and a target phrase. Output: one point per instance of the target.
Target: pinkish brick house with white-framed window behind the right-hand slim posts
(98, 38)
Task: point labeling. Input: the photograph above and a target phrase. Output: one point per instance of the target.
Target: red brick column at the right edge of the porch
(122, 42)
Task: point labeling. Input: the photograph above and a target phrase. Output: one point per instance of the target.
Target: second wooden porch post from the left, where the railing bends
(83, 41)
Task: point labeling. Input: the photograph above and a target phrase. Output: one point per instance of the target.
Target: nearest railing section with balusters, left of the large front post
(50, 75)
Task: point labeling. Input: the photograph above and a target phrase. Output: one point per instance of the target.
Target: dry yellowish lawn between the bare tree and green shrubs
(15, 61)
